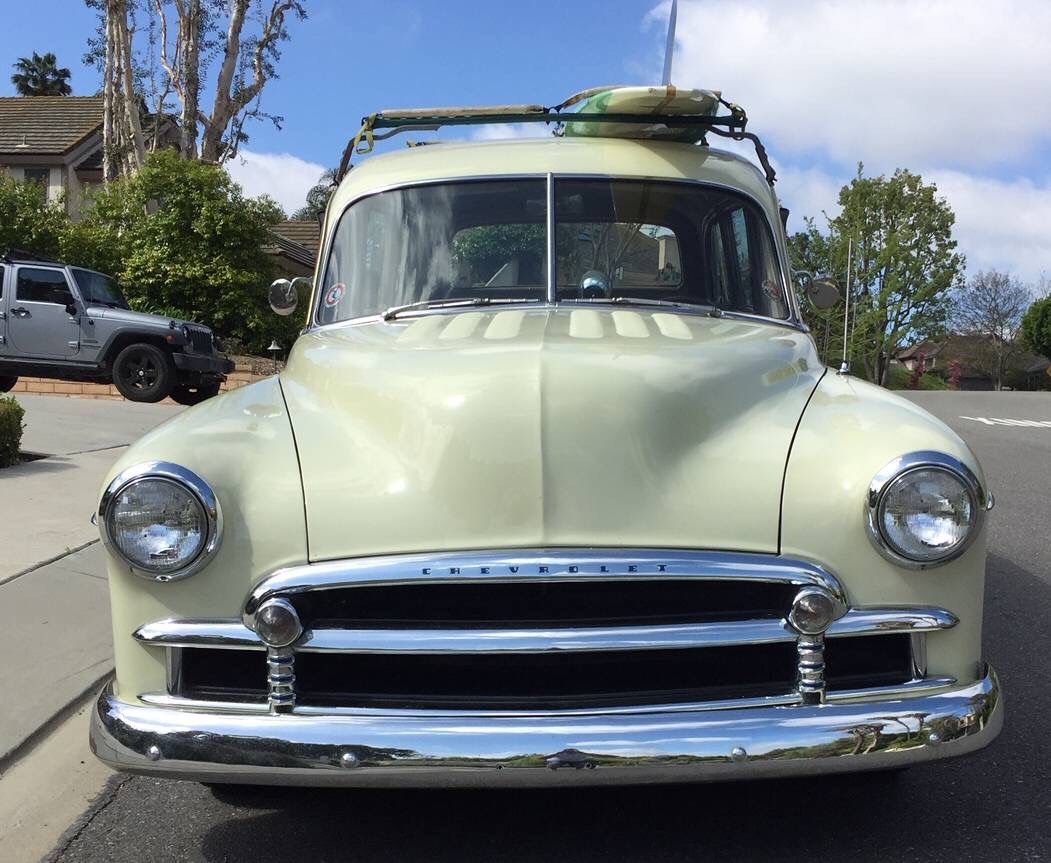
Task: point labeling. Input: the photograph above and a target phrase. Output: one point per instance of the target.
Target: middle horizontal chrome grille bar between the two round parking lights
(235, 635)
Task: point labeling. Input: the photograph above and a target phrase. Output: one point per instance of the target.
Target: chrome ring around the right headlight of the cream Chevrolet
(902, 467)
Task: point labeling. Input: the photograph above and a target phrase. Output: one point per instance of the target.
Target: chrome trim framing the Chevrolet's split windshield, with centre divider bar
(794, 321)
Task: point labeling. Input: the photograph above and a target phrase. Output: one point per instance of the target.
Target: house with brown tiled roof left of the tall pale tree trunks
(55, 141)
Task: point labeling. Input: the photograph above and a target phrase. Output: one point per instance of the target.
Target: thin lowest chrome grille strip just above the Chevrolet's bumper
(789, 700)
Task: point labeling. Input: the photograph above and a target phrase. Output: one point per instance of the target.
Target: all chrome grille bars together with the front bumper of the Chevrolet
(283, 739)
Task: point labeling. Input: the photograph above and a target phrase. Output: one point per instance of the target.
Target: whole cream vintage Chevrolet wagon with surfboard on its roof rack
(554, 488)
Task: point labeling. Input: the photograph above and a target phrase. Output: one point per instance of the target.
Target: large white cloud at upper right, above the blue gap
(952, 83)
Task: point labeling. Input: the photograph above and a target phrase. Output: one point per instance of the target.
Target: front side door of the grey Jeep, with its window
(39, 325)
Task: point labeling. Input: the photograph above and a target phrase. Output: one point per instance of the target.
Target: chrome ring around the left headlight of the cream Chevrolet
(189, 482)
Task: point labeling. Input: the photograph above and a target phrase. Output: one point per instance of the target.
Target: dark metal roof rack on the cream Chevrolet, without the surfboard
(395, 122)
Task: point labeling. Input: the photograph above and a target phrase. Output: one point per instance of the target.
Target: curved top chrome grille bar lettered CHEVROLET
(542, 565)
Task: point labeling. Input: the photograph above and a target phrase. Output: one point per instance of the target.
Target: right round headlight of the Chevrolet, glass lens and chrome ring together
(924, 509)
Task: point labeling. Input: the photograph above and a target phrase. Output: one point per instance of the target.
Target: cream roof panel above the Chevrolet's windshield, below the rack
(604, 157)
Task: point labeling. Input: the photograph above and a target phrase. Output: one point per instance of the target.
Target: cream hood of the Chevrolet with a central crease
(545, 428)
